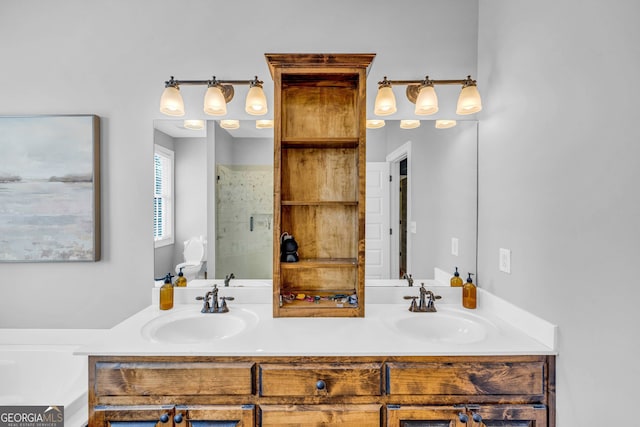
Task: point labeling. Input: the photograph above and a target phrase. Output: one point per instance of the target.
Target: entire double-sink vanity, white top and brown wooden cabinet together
(393, 367)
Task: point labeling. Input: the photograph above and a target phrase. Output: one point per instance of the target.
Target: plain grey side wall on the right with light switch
(559, 176)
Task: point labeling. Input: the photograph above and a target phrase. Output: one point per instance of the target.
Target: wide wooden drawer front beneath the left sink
(173, 379)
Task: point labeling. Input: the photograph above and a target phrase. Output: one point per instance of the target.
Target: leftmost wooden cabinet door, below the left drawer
(132, 416)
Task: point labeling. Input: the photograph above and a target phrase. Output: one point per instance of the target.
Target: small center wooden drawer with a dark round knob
(350, 379)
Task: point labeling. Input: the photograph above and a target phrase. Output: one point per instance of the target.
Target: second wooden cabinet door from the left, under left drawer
(215, 416)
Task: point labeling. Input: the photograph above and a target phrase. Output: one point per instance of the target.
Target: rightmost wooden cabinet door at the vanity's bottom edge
(508, 415)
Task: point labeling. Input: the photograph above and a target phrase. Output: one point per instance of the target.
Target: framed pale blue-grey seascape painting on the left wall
(50, 188)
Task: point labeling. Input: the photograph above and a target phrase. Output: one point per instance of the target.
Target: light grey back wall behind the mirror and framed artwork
(111, 58)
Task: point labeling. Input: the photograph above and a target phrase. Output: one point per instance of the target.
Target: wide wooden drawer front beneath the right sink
(465, 378)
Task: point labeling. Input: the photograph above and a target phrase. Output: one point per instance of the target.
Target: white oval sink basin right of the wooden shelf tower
(445, 326)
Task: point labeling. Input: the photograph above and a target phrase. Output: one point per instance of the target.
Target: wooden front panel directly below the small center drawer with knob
(321, 415)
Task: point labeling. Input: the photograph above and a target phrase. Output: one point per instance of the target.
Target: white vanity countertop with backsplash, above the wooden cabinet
(508, 329)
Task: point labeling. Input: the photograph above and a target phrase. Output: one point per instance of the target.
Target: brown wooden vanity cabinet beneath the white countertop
(429, 391)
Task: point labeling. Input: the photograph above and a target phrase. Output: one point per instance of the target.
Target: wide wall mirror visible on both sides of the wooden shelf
(421, 199)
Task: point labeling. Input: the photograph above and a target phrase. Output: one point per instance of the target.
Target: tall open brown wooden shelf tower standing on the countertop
(319, 182)
